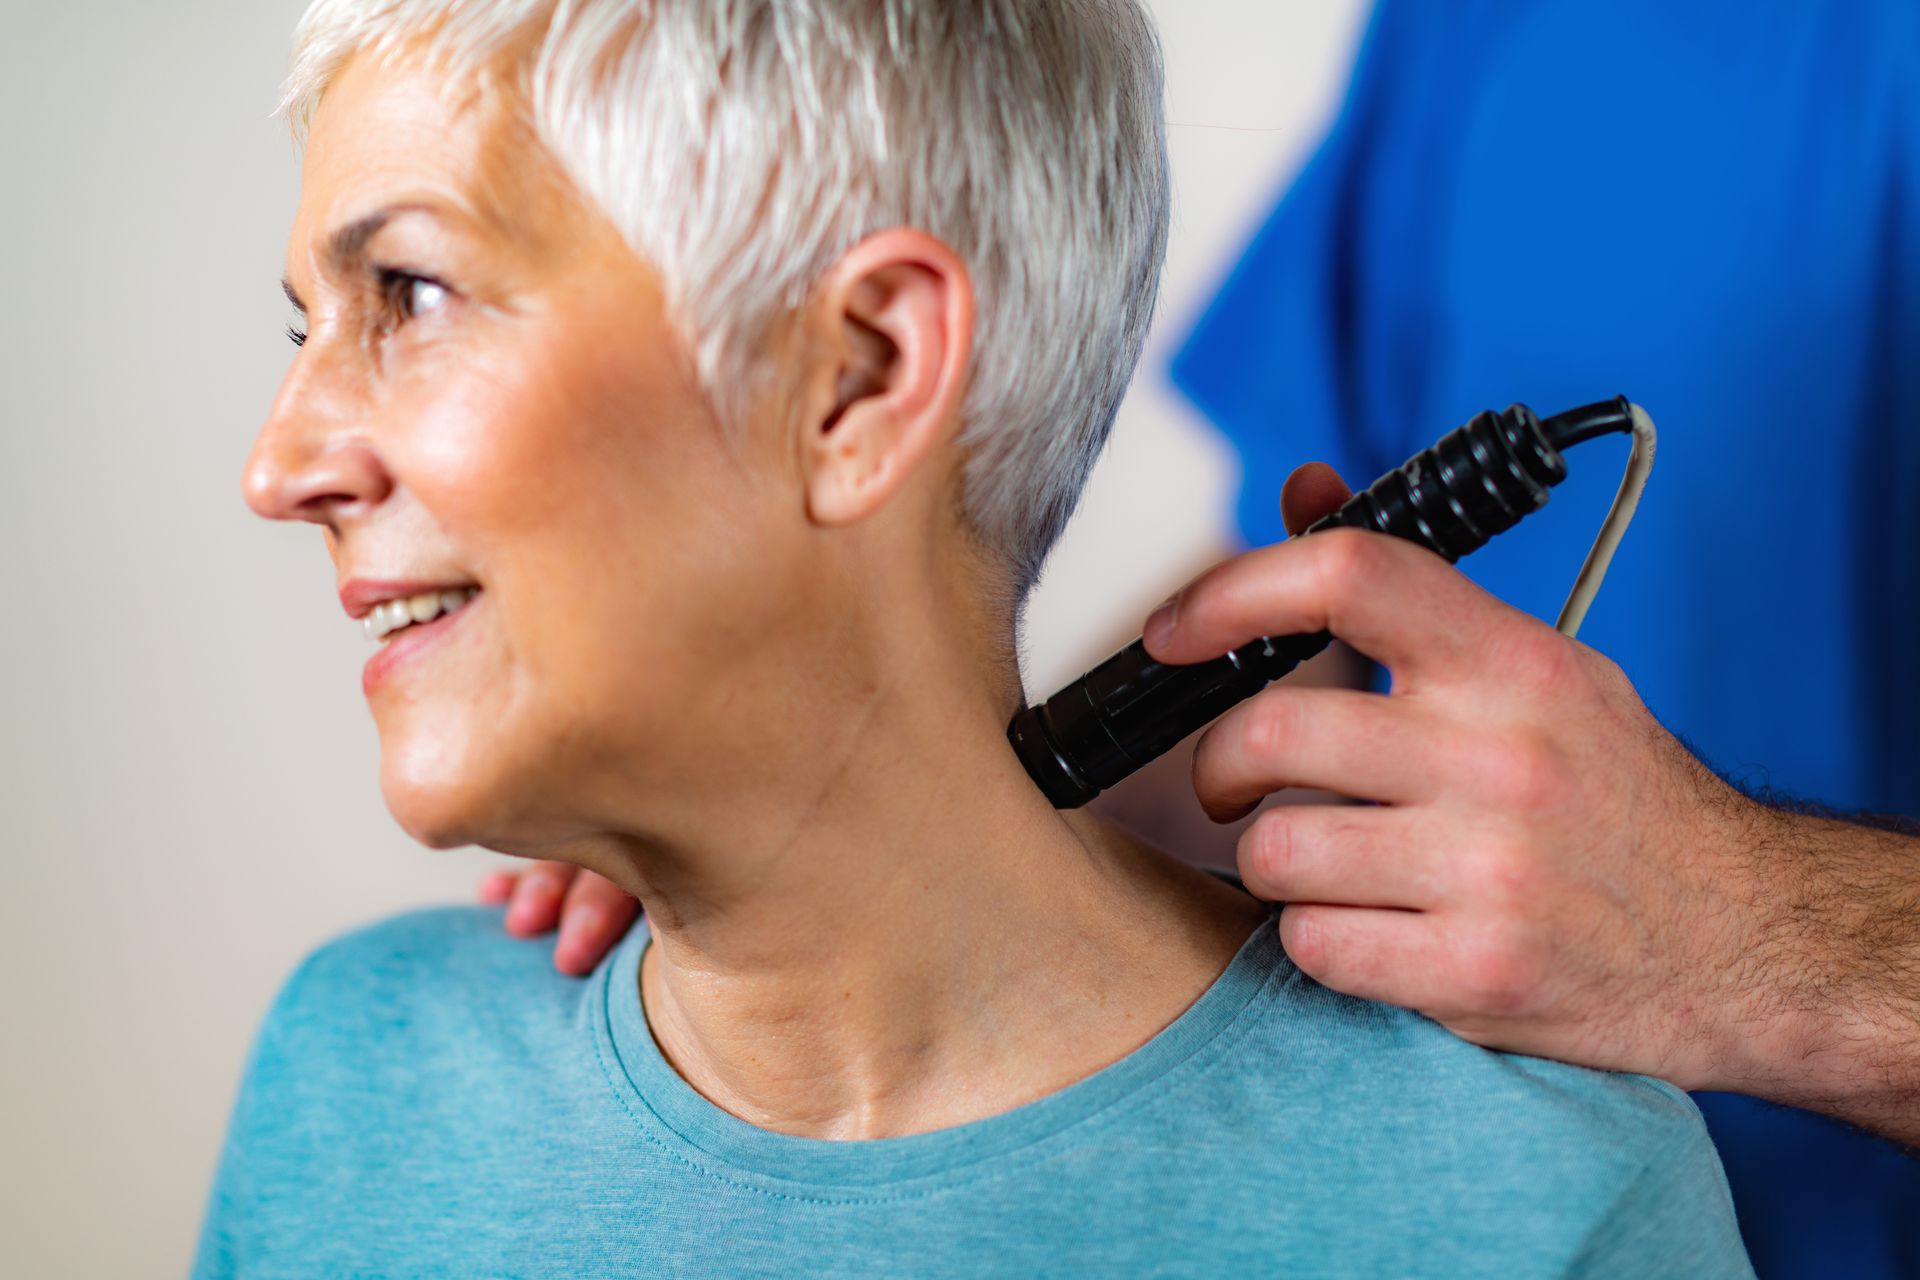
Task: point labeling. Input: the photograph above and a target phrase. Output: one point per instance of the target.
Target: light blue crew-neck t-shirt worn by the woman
(431, 1099)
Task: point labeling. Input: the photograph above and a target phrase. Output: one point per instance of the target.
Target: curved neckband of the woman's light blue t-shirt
(675, 1116)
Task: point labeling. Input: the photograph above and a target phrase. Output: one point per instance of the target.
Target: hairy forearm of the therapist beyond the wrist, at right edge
(1833, 985)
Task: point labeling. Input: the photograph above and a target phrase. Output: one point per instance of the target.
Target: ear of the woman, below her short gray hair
(898, 320)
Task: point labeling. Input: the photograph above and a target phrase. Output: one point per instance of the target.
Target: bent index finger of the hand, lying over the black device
(1393, 602)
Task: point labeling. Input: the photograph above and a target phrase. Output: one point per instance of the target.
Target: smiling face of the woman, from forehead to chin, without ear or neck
(491, 396)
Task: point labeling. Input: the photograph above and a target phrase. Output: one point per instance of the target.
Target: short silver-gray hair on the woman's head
(1028, 135)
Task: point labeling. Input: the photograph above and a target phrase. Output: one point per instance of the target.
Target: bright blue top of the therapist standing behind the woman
(1716, 210)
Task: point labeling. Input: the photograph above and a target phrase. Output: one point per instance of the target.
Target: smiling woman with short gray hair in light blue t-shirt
(688, 396)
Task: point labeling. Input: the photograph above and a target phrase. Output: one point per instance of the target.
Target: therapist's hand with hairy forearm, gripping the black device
(1547, 870)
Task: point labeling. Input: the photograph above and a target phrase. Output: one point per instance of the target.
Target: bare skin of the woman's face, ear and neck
(748, 675)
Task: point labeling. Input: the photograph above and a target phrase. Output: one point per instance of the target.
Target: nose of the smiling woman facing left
(310, 463)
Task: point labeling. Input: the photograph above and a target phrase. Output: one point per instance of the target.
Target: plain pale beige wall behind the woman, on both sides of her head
(187, 772)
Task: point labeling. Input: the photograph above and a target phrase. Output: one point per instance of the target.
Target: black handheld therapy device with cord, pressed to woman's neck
(1477, 483)
